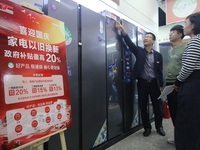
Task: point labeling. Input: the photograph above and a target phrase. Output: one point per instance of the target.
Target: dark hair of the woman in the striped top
(195, 19)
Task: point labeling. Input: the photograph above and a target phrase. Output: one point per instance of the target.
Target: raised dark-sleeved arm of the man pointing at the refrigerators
(127, 39)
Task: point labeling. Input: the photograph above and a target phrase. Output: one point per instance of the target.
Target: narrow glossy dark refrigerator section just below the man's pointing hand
(114, 64)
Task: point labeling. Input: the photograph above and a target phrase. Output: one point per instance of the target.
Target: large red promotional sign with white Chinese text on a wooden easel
(34, 97)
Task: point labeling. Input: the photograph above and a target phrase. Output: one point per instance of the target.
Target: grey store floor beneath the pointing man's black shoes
(154, 141)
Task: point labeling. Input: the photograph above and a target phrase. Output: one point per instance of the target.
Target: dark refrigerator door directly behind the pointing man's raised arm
(131, 110)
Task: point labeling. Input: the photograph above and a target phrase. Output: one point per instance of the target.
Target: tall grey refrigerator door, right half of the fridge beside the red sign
(93, 79)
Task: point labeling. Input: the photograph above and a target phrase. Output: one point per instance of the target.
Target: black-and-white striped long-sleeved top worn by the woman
(190, 59)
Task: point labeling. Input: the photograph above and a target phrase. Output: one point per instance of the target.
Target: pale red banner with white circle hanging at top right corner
(178, 10)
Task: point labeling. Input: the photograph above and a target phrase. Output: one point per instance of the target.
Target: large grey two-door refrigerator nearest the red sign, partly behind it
(86, 54)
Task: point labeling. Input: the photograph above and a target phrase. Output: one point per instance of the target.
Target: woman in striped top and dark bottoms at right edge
(187, 125)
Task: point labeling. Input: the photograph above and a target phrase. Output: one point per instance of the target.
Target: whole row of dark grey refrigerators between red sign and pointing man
(103, 98)
